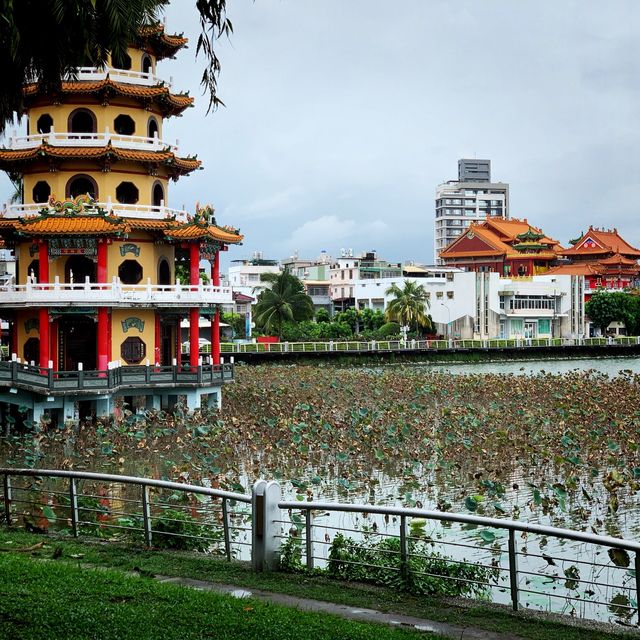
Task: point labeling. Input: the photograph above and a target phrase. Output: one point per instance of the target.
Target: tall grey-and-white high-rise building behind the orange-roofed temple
(470, 198)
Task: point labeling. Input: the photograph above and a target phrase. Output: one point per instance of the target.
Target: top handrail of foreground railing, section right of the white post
(443, 516)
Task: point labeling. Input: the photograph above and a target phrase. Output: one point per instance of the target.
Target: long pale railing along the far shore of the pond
(375, 346)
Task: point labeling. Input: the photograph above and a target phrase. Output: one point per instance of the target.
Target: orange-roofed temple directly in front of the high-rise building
(509, 247)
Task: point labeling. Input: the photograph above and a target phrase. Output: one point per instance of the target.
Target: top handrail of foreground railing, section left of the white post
(112, 477)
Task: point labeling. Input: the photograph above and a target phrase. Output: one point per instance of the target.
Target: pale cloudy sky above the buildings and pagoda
(342, 117)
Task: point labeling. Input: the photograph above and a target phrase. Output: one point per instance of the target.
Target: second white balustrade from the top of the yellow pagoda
(100, 139)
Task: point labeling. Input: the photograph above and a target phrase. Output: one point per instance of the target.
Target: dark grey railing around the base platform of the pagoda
(18, 375)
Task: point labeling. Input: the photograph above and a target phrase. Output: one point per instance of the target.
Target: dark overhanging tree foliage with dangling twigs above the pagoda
(43, 40)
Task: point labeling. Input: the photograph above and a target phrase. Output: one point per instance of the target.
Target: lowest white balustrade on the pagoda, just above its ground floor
(112, 294)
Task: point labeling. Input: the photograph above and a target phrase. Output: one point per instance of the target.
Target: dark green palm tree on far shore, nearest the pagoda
(284, 301)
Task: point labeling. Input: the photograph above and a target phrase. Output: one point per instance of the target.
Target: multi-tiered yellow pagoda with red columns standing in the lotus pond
(105, 269)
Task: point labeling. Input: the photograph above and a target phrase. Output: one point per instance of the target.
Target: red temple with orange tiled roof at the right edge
(604, 258)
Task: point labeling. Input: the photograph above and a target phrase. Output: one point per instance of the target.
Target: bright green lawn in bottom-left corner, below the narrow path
(58, 600)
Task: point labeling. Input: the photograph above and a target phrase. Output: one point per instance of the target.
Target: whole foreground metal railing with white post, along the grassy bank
(511, 560)
